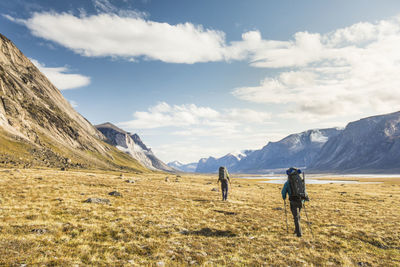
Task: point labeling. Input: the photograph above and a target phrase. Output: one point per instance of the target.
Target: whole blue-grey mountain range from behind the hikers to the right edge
(368, 145)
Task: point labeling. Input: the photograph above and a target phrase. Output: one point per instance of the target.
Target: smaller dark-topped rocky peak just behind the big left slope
(132, 145)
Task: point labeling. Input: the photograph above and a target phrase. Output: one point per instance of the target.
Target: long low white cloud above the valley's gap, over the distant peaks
(191, 119)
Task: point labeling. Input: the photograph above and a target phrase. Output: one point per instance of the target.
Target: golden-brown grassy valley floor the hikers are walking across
(44, 221)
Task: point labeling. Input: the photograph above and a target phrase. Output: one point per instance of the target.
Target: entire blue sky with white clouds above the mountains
(205, 78)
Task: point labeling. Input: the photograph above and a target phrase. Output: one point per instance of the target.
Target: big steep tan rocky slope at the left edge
(38, 127)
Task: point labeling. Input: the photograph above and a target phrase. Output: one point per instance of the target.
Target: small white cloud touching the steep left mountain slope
(61, 78)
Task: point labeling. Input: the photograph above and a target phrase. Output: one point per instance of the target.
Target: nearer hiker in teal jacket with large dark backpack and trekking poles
(295, 187)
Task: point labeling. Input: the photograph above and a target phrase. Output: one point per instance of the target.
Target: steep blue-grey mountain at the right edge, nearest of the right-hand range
(367, 145)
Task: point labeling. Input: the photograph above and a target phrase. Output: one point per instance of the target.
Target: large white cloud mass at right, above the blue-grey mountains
(353, 70)
